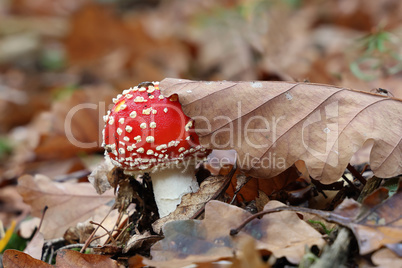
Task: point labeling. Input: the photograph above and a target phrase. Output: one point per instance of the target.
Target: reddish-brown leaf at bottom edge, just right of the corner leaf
(70, 258)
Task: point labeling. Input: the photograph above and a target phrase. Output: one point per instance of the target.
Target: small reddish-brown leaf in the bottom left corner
(15, 259)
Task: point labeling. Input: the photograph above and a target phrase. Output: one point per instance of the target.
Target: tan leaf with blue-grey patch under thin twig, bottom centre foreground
(195, 241)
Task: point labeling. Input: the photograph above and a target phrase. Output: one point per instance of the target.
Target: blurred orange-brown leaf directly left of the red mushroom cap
(75, 124)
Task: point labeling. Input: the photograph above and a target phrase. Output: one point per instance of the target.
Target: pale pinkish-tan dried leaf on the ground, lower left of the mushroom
(68, 203)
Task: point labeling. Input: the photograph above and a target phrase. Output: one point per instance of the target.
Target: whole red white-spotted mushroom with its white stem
(146, 132)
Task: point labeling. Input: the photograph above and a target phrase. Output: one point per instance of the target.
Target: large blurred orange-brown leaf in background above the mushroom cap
(122, 47)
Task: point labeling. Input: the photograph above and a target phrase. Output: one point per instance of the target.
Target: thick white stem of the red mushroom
(170, 184)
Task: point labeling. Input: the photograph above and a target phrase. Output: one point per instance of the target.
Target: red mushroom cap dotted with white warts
(144, 129)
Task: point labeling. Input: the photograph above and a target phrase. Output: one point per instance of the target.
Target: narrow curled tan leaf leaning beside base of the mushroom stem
(193, 202)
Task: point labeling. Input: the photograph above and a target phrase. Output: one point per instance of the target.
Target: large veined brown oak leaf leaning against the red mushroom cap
(271, 125)
